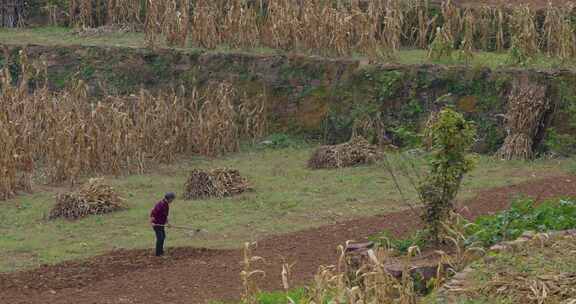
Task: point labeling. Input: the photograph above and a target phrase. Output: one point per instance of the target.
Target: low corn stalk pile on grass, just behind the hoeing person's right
(216, 183)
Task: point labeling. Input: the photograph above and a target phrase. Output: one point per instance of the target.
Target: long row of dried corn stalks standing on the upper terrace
(375, 29)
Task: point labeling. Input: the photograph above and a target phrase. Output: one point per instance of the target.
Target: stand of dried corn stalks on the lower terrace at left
(113, 135)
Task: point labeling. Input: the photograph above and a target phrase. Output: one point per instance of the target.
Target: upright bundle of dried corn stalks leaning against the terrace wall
(527, 106)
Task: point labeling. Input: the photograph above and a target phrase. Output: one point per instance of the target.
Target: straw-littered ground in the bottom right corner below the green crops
(539, 271)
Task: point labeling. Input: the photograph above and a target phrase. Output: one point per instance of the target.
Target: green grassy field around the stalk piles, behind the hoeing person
(288, 197)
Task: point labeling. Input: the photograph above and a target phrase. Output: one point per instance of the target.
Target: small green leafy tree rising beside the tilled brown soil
(450, 138)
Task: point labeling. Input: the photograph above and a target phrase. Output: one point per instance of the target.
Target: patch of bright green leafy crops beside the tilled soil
(524, 215)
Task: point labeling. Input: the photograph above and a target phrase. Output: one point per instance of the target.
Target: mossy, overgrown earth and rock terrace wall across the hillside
(317, 96)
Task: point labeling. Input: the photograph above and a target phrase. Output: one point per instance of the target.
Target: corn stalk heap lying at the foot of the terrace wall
(357, 151)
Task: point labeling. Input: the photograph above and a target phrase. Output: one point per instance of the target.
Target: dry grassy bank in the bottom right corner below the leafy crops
(516, 271)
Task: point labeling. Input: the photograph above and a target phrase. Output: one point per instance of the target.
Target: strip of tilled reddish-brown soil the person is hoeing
(192, 275)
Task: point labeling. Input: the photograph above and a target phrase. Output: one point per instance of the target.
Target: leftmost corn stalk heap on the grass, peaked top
(93, 198)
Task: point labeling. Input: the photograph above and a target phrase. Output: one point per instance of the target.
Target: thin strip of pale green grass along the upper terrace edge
(64, 36)
